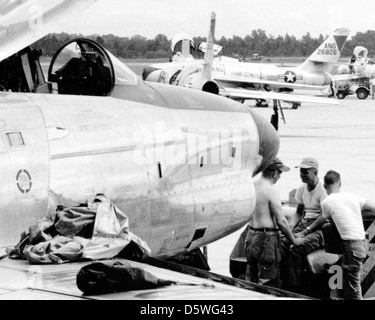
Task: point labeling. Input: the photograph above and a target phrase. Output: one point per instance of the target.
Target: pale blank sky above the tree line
(148, 18)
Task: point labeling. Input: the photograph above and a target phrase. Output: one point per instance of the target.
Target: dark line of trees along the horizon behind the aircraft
(139, 47)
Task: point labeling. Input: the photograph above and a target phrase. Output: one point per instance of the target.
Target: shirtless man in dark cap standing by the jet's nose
(263, 240)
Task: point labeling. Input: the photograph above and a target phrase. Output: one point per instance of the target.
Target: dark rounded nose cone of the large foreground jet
(269, 142)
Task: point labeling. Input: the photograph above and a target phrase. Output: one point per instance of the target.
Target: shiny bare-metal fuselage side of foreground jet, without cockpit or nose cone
(181, 172)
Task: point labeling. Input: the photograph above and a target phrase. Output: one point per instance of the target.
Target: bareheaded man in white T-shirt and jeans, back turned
(345, 211)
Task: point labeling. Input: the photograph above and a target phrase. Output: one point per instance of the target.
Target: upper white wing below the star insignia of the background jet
(249, 80)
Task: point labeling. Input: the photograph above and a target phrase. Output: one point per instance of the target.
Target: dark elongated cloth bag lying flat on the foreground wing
(116, 276)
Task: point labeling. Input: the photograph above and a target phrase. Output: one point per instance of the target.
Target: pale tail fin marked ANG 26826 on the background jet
(330, 50)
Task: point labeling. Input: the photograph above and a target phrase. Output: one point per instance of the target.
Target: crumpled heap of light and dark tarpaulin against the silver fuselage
(98, 230)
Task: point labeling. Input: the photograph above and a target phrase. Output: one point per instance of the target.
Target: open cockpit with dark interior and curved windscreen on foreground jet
(79, 67)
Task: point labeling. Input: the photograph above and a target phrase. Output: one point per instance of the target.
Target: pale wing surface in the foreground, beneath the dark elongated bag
(21, 281)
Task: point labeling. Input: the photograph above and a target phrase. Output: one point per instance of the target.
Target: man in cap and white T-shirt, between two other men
(306, 224)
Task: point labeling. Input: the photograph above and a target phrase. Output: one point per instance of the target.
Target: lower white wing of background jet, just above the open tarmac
(258, 94)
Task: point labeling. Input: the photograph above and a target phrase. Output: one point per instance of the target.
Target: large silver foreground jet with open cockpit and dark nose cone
(179, 163)
